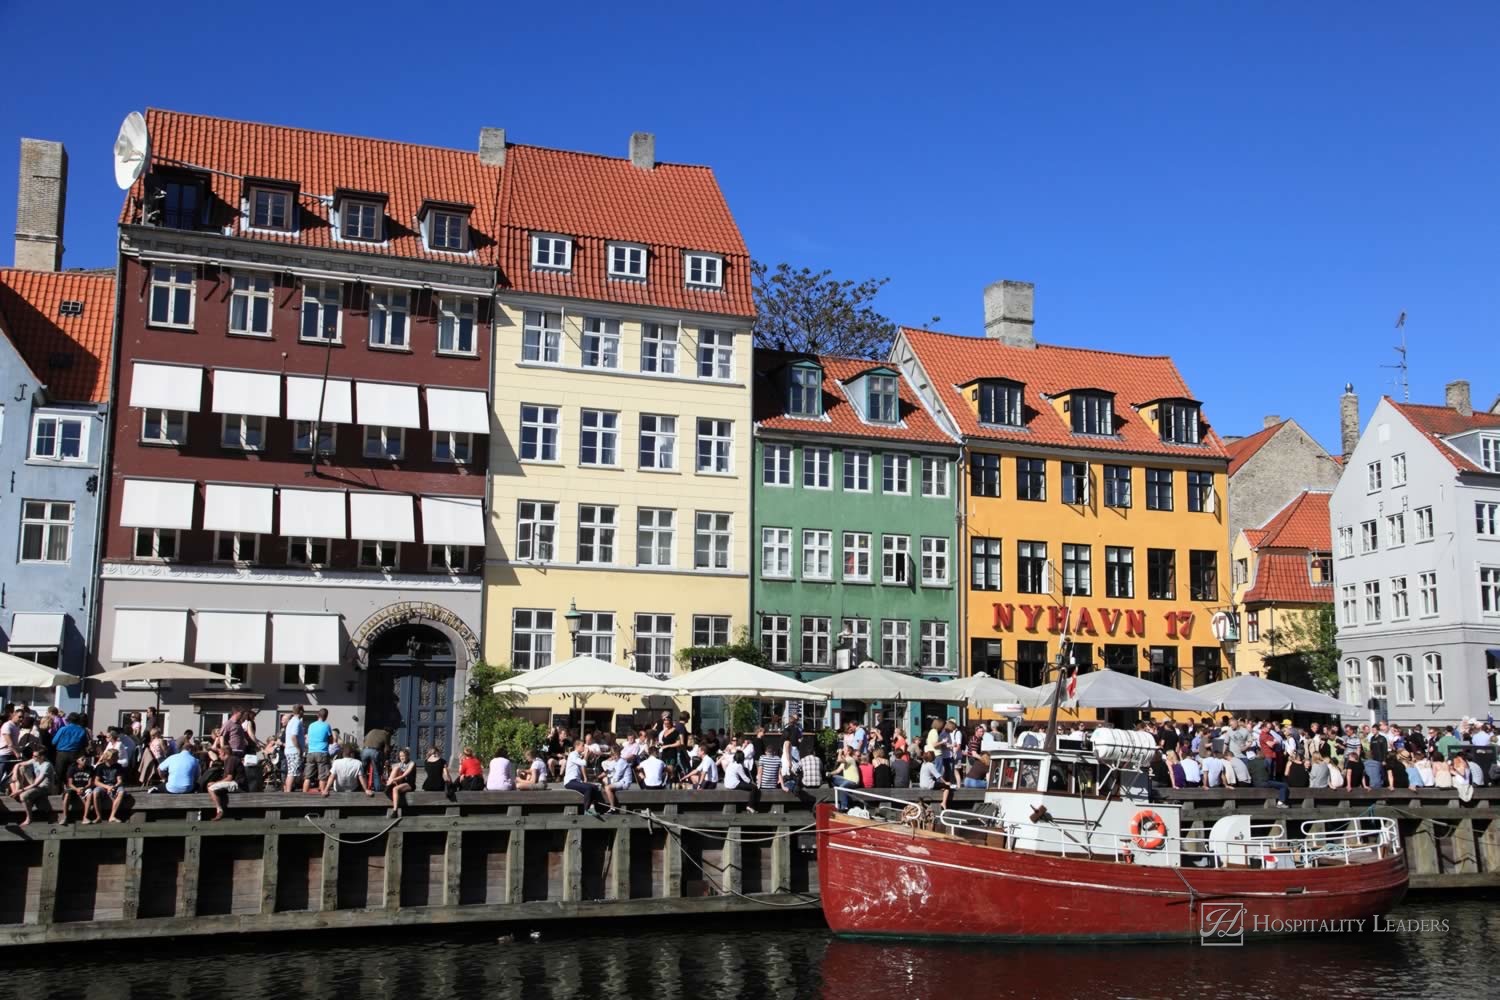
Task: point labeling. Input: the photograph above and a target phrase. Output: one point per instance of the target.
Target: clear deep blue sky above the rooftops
(1256, 190)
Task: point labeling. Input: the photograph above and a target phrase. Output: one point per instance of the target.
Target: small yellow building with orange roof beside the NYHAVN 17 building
(1283, 573)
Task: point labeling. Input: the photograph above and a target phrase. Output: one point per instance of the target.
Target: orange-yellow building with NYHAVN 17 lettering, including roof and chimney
(1093, 501)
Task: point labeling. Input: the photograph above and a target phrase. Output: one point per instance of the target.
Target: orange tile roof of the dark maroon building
(322, 164)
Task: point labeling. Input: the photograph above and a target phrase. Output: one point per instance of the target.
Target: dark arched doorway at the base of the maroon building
(410, 690)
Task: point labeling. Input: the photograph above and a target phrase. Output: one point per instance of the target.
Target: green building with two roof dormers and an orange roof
(856, 549)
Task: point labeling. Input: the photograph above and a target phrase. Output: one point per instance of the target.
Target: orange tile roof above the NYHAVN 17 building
(953, 361)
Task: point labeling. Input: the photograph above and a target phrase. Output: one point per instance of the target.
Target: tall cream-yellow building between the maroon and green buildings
(623, 419)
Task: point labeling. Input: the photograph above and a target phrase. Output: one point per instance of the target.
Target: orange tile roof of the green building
(841, 418)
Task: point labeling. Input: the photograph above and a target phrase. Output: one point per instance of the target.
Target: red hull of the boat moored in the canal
(893, 882)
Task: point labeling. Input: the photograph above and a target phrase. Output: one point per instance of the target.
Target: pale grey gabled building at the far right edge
(1417, 563)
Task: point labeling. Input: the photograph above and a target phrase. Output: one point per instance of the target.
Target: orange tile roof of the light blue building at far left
(29, 316)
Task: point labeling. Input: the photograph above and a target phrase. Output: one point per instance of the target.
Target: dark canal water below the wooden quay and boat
(1436, 948)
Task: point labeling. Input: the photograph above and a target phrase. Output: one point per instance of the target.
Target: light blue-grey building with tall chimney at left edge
(55, 370)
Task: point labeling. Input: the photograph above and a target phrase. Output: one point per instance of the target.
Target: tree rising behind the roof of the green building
(814, 313)
